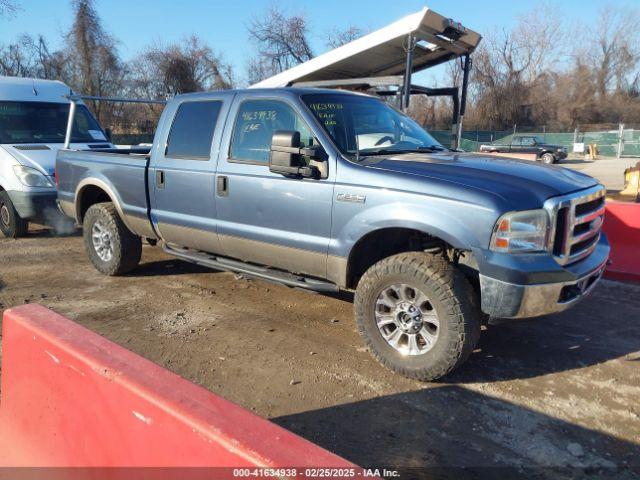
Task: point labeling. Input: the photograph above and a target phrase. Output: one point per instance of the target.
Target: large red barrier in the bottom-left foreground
(72, 398)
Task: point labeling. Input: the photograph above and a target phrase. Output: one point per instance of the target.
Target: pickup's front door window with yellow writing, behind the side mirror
(255, 124)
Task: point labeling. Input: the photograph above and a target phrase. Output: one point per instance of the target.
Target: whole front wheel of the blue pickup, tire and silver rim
(417, 314)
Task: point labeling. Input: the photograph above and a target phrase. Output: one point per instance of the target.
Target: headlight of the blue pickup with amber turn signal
(519, 232)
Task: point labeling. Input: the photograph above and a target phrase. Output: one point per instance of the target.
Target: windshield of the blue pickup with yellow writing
(362, 125)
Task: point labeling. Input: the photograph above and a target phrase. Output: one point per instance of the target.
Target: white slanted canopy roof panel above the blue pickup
(383, 52)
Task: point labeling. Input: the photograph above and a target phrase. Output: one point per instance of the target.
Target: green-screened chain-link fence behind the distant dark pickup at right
(612, 140)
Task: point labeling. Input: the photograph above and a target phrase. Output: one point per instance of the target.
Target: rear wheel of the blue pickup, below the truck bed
(110, 245)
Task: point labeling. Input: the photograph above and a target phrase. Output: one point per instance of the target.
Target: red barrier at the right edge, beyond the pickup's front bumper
(622, 226)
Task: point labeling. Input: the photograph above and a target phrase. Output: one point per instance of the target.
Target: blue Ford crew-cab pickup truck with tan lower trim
(330, 190)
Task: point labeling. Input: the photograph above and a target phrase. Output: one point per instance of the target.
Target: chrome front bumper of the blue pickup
(502, 299)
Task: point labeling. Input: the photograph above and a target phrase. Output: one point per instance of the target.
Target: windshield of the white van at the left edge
(38, 122)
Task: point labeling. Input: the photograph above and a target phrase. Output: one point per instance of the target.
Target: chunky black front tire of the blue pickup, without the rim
(451, 295)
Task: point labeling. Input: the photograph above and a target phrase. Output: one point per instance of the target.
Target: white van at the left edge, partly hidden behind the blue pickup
(33, 121)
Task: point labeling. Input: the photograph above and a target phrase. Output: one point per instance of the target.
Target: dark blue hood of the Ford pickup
(511, 179)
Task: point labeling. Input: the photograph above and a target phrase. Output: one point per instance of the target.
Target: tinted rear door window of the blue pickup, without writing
(192, 130)
